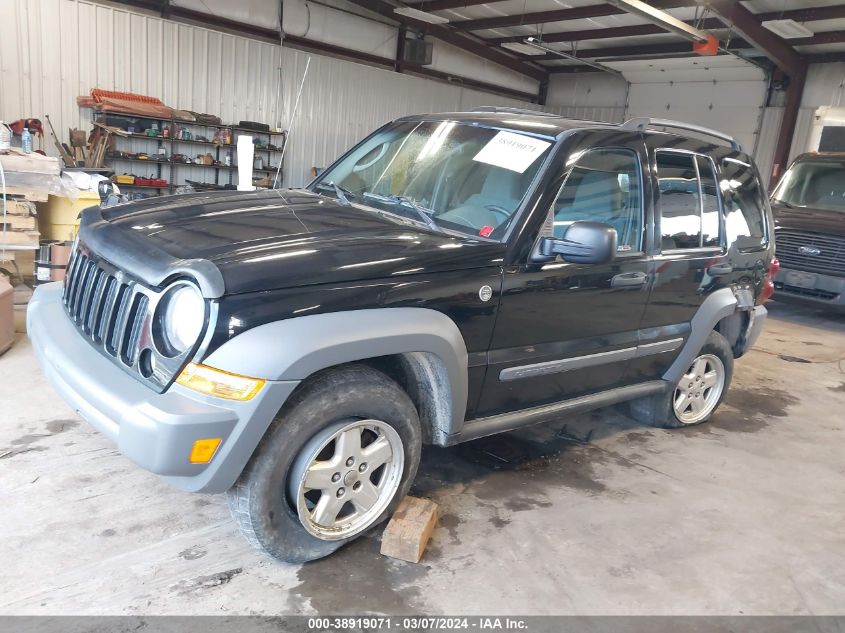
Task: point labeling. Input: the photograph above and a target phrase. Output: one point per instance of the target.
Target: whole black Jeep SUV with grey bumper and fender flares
(450, 277)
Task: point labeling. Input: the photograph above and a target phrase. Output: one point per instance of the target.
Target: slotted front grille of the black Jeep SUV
(106, 307)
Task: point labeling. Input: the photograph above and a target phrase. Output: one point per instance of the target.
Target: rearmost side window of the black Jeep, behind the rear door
(744, 203)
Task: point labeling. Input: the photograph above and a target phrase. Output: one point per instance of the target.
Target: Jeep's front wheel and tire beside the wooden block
(334, 463)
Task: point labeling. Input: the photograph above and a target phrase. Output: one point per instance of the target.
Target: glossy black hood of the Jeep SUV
(284, 238)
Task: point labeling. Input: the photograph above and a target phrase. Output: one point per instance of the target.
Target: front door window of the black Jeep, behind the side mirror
(603, 186)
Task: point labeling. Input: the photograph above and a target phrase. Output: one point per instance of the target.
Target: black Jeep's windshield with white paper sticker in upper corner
(444, 174)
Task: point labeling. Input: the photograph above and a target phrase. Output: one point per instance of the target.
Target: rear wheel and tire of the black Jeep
(697, 395)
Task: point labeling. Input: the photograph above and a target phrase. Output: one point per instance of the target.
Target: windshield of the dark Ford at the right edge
(818, 184)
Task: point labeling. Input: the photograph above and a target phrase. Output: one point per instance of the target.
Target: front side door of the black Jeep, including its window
(563, 329)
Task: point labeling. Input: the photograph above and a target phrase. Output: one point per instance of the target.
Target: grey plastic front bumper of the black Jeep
(156, 431)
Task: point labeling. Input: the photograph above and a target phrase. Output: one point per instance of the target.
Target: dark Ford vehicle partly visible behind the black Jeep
(809, 210)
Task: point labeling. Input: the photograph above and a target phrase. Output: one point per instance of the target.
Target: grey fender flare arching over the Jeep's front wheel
(293, 349)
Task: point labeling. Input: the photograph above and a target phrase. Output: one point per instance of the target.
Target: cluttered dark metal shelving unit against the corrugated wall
(222, 174)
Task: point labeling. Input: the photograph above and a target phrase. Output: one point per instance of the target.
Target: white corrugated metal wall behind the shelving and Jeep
(51, 51)
